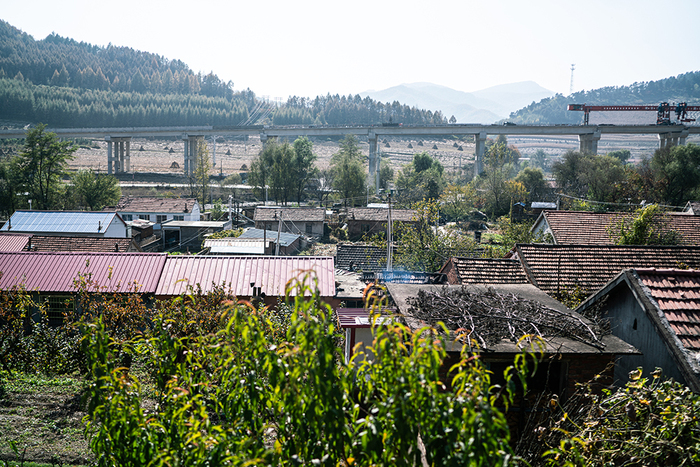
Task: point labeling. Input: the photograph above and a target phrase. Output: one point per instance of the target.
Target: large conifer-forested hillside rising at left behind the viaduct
(61, 82)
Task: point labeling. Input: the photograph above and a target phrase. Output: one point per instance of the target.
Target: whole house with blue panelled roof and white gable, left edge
(67, 223)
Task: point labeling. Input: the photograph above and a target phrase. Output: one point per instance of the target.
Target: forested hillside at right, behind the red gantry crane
(681, 88)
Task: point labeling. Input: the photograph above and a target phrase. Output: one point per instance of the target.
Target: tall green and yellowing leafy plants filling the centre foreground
(249, 394)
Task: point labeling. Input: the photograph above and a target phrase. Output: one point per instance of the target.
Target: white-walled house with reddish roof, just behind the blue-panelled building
(157, 210)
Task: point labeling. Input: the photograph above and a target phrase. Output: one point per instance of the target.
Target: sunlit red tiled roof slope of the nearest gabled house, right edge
(677, 293)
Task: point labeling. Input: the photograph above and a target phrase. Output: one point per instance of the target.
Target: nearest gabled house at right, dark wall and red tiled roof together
(658, 312)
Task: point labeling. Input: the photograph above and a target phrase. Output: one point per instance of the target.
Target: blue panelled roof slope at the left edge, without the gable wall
(66, 222)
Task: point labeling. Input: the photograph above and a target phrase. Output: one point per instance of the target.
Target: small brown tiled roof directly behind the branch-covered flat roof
(489, 271)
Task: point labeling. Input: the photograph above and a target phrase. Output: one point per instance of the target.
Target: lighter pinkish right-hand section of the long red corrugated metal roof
(271, 273)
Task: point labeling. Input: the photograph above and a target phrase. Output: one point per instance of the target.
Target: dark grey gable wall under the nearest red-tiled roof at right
(623, 310)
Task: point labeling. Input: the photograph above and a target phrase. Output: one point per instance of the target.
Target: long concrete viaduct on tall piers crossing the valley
(118, 139)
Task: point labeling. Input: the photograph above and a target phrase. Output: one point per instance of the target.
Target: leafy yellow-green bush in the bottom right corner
(647, 422)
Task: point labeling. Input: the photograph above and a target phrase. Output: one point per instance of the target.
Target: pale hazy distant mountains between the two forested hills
(485, 106)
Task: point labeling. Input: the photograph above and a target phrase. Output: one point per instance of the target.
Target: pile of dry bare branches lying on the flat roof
(489, 317)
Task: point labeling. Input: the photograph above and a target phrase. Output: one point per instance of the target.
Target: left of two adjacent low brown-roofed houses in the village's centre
(300, 221)
